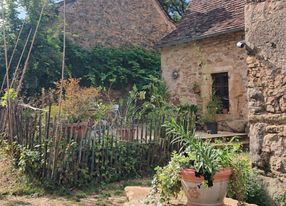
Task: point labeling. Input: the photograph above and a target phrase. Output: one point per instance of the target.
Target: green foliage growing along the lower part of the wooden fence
(113, 161)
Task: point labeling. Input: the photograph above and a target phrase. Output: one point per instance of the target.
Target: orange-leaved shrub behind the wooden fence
(79, 105)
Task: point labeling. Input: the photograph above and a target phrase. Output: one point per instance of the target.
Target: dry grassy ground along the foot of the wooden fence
(15, 191)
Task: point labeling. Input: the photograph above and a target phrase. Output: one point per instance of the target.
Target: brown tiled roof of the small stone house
(206, 18)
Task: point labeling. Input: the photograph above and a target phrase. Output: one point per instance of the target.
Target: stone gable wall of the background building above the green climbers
(116, 23)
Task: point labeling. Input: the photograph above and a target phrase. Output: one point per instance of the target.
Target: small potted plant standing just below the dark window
(210, 116)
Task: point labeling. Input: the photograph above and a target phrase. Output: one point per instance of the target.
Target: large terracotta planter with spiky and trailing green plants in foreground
(200, 169)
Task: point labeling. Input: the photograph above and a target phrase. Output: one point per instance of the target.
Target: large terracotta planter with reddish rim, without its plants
(199, 194)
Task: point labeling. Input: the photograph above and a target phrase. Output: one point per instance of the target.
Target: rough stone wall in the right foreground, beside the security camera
(266, 37)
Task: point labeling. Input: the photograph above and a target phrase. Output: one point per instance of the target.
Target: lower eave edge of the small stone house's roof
(191, 39)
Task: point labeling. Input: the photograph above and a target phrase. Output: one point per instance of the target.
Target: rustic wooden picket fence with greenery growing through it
(87, 151)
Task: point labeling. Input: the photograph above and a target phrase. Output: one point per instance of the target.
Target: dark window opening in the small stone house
(220, 87)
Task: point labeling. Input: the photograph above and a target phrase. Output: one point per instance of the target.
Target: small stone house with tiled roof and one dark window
(201, 56)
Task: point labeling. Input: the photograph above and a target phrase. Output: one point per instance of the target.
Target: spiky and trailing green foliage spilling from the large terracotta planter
(195, 153)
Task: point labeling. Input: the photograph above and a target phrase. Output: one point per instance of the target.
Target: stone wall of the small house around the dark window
(195, 63)
